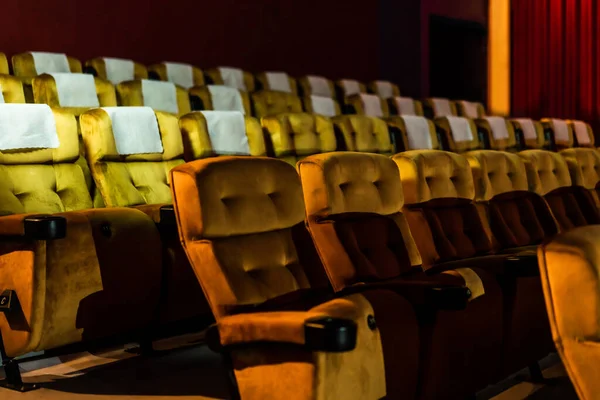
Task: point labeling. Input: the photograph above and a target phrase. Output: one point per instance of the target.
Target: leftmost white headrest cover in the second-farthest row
(76, 90)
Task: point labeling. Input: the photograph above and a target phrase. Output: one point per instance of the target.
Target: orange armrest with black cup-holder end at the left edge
(34, 227)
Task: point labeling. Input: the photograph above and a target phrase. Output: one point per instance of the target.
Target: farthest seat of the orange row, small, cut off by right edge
(584, 168)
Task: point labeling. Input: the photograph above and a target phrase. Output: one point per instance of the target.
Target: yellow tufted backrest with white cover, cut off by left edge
(38, 154)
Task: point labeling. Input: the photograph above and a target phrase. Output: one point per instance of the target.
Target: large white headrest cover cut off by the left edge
(27, 126)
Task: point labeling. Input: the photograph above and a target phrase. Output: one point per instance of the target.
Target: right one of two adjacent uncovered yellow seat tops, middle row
(365, 134)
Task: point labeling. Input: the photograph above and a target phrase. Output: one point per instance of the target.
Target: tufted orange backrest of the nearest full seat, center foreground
(237, 219)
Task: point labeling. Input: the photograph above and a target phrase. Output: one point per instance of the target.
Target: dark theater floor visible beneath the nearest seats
(184, 369)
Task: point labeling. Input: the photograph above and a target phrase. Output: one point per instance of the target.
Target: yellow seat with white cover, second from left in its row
(130, 151)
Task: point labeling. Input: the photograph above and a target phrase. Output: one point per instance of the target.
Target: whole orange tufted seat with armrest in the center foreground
(250, 251)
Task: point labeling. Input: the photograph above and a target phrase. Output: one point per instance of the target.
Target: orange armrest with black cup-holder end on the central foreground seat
(315, 331)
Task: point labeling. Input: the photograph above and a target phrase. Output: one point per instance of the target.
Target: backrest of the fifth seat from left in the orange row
(548, 175)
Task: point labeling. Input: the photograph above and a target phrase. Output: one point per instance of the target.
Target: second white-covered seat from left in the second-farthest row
(160, 96)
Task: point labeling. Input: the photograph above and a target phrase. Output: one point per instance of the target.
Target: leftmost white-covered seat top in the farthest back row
(28, 65)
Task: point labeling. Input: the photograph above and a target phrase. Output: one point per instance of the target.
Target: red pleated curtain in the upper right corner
(555, 68)
